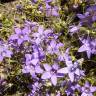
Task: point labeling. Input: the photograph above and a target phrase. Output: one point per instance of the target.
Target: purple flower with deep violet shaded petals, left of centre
(36, 56)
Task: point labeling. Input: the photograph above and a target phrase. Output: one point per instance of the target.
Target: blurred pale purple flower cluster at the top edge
(47, 8)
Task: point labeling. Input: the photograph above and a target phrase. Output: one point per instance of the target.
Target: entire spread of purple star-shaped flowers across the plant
(53, 68)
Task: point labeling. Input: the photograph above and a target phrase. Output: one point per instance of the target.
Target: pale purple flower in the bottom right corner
(87, 89)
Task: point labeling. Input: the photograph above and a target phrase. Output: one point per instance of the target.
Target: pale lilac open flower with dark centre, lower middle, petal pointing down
(50, 73)
